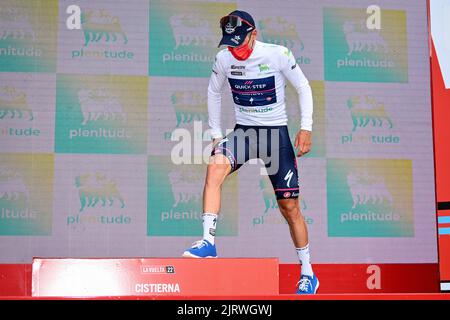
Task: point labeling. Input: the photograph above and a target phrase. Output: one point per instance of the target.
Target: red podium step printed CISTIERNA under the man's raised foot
(144, 277)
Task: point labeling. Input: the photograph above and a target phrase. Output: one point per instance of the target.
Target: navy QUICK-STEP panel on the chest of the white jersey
(253, 92)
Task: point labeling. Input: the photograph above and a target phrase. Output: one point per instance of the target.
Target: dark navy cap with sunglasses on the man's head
(235, 27)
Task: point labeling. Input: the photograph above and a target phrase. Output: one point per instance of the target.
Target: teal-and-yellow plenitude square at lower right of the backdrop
(370, 198)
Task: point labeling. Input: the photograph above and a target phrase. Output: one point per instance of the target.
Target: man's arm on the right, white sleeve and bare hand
(296, 77)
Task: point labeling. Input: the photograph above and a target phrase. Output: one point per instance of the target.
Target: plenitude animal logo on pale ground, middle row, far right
(371, 122)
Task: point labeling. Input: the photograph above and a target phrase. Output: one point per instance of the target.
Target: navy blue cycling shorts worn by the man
(273, 146)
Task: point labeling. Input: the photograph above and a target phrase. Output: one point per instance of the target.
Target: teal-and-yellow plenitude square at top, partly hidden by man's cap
(191, 35)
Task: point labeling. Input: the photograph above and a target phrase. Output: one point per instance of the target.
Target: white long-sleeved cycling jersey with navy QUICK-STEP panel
(258, 87)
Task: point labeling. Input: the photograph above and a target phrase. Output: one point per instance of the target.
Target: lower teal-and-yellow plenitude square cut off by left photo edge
(26, 193)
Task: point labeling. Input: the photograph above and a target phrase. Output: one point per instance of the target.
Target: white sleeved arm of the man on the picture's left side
(216, 82)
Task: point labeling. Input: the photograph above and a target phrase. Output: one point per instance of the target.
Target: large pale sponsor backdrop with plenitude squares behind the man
(91, 120)
